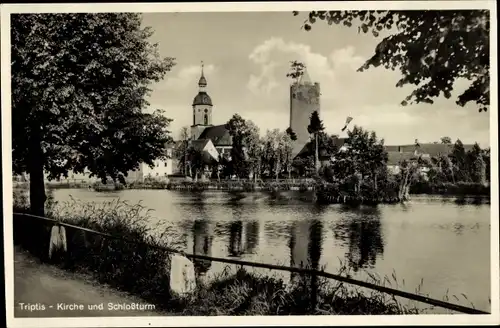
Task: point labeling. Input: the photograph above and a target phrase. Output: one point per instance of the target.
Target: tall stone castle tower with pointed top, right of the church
(304, 100)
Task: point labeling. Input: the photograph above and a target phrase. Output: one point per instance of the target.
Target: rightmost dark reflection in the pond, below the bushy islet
(361, 230)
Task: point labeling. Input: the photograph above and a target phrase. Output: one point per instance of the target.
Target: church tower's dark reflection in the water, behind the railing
(202, 245)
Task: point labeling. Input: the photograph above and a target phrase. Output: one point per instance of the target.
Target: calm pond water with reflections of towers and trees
(431, 239)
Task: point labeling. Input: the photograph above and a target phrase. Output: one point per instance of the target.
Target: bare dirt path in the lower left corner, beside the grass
(47, 291)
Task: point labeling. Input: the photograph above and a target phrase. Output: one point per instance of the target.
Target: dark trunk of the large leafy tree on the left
(37, 185)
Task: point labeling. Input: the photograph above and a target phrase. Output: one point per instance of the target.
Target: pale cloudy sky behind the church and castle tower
(246, 57)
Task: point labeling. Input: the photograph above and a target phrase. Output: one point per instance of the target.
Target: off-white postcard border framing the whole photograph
(6, 10)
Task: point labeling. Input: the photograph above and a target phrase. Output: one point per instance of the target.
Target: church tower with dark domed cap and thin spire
(202, 108)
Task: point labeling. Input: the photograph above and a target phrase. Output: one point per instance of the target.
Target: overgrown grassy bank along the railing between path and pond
(144, 271)
